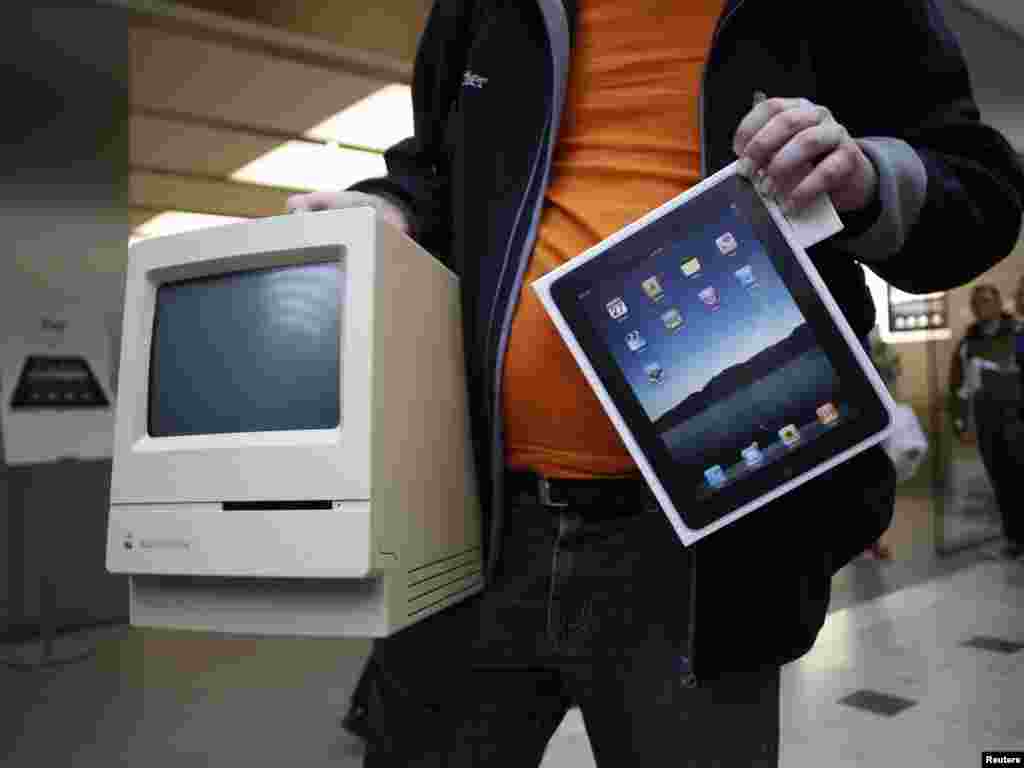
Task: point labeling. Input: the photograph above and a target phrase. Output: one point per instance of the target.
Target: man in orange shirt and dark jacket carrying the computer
(542, 129)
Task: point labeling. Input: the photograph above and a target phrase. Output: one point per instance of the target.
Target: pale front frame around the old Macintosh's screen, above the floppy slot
(248, 466)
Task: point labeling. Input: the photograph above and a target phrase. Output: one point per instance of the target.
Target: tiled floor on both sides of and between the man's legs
(918, 629)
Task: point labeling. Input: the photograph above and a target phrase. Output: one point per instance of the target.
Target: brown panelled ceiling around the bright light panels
(217, 84)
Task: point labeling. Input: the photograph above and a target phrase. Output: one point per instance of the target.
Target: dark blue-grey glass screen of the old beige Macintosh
(247, 352)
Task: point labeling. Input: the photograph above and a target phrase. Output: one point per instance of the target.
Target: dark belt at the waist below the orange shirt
(626, 495)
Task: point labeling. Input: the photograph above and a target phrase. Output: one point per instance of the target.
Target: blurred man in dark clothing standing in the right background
(983, 380)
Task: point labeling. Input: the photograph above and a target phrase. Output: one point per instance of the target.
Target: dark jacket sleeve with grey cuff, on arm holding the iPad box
(952, 188)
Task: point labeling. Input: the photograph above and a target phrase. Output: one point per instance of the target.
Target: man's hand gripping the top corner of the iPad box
(796, 150)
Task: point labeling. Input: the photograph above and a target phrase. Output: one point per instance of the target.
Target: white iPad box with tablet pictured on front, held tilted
(717, 352)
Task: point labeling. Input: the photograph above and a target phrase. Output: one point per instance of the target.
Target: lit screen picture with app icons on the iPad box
(717, 353)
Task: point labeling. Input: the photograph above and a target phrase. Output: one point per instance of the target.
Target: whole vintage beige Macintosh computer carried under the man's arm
(291, 442)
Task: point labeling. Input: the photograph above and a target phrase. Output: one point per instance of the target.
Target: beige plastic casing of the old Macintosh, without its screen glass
(401, 539)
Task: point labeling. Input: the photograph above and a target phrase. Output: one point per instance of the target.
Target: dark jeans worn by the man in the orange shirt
(584, 613)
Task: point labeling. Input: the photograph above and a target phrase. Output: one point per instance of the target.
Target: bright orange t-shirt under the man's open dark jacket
(629, 142)
